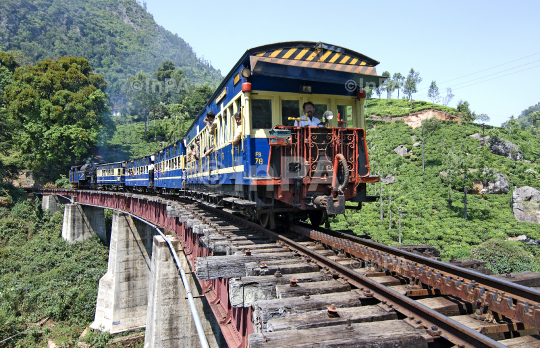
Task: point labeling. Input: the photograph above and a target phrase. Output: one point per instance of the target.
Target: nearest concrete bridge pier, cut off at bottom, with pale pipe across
(169, 320)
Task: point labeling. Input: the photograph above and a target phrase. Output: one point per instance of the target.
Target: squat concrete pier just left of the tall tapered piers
(81, 222)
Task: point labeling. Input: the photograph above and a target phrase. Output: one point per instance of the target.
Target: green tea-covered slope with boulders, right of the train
(427, 216)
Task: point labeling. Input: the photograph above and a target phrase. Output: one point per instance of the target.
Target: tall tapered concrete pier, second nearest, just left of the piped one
(123, 291)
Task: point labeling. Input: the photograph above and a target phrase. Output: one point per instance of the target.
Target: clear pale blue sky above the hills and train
(445, 41)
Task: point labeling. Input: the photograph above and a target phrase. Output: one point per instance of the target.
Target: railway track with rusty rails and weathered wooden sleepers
(313, 287)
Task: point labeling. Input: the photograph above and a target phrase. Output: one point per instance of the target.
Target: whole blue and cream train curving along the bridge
(282, 136)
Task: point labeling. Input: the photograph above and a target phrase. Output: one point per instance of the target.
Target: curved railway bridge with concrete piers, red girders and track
(195, 275)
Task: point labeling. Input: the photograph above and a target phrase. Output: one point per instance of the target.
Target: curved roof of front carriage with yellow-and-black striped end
(282, 58)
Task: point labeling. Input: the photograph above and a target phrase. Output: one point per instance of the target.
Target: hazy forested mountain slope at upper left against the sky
(118, 37)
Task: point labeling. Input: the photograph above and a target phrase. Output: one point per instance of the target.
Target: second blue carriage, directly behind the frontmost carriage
(170, 164)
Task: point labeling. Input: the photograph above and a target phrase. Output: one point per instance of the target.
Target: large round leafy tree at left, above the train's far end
(60, 105)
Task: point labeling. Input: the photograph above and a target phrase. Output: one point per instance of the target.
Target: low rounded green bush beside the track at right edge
(505, 256)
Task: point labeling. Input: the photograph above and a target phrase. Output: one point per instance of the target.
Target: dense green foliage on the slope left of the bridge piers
(42, 276)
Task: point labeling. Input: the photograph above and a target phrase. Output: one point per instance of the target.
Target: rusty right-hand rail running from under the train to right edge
(514, 301)
